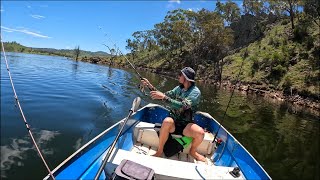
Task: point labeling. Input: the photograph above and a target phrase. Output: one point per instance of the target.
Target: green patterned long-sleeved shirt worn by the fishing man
(182, 102)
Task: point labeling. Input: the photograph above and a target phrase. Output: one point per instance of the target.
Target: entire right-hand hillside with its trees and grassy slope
(278, 43)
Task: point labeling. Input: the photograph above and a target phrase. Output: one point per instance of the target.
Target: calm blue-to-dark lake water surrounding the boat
(67, 103)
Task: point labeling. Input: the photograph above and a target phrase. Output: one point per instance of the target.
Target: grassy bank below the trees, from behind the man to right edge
(279, 61)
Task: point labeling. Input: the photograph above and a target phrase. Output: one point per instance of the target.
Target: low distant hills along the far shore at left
(16, 47)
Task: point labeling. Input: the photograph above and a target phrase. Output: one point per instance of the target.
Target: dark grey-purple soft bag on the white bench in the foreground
(130, 170)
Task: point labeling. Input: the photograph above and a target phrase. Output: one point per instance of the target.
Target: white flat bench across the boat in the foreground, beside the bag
(171, 169)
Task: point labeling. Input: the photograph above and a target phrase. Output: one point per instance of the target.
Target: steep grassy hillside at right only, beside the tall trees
(280, 60)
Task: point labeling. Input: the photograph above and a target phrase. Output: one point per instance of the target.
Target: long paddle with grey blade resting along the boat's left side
(135, 106)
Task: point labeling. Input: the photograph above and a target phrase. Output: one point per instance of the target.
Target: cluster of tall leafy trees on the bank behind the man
(199, 36)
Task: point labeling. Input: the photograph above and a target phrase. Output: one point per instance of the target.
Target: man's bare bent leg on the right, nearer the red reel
(197, 133)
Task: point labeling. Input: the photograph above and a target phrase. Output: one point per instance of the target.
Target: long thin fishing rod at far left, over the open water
(21, 112)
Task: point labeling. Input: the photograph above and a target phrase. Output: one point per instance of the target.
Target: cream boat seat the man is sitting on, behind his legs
(146, 133)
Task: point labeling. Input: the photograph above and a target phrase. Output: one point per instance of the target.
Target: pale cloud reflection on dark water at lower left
(16, 151)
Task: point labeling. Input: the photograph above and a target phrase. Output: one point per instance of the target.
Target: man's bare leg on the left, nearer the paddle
(166, 128)
